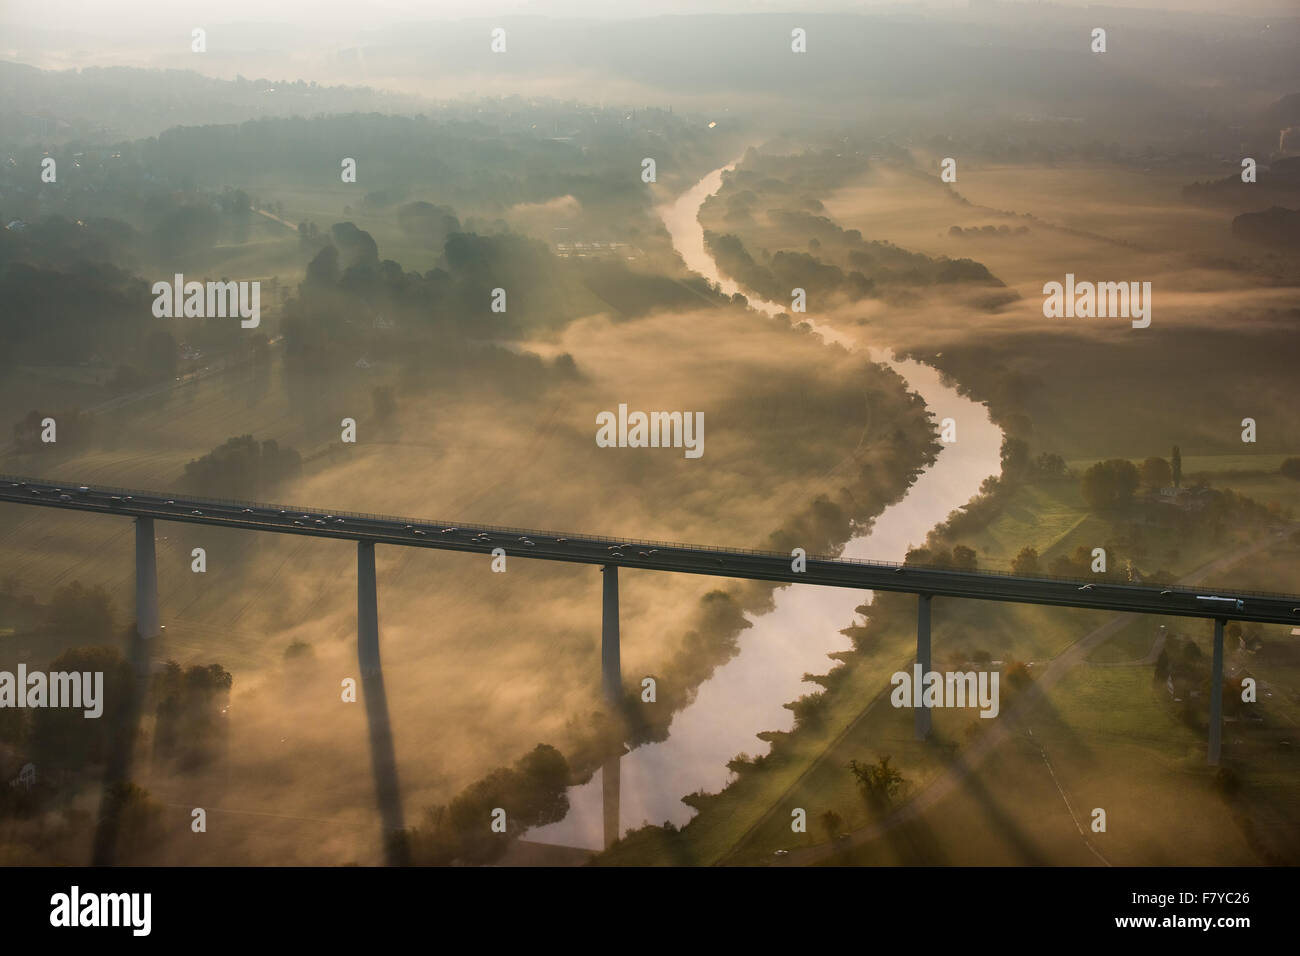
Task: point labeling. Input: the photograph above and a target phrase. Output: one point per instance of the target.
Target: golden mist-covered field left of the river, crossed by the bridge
(454, 637)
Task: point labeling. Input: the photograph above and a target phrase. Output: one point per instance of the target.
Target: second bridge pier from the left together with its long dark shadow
(383, 759)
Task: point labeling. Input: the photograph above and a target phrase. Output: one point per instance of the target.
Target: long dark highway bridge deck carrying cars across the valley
(656, 556)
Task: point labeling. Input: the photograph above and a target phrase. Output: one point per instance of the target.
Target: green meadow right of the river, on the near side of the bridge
(1110, 734)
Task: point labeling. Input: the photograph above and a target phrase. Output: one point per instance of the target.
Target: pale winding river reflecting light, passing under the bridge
(747, 695)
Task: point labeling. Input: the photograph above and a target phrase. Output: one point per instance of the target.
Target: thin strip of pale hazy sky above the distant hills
(119, 16)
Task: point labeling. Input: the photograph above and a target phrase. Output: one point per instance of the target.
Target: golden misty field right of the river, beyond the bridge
(1220, 345)
